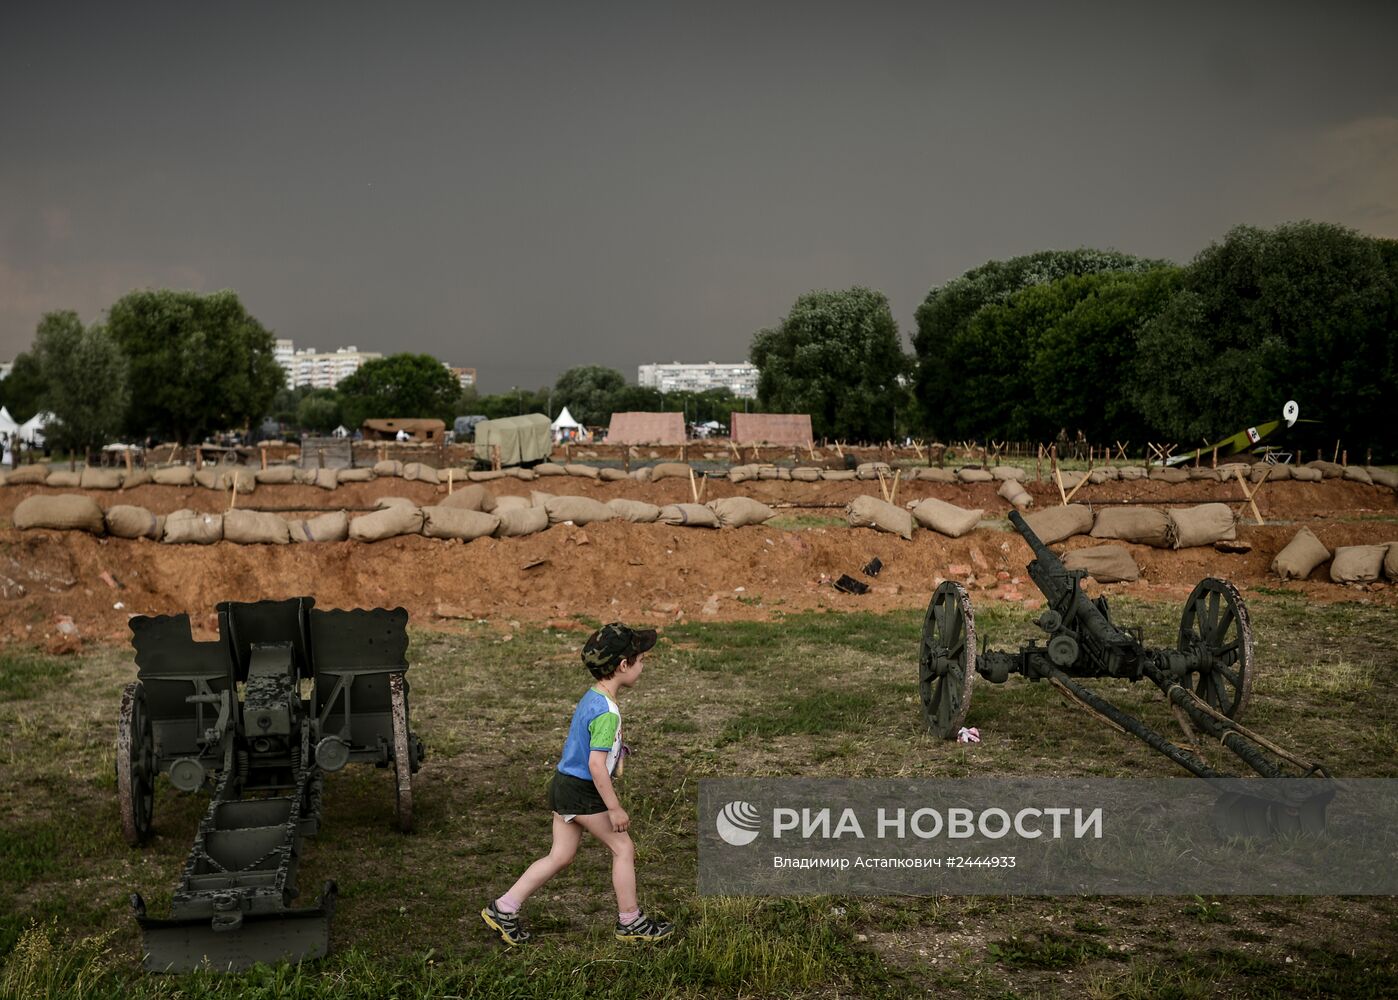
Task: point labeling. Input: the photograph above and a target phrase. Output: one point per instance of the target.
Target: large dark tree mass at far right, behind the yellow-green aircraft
(1305, 311)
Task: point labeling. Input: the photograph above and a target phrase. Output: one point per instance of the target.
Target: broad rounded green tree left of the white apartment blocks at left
(202, 363)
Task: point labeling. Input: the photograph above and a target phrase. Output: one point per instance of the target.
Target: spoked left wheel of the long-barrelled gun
(947, 665)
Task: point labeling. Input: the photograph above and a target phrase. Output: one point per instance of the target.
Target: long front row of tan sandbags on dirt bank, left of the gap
(469, 514)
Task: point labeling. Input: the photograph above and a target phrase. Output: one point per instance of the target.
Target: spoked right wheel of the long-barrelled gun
(1216, 622)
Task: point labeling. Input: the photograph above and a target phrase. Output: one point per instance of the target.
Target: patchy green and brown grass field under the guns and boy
(814, 694)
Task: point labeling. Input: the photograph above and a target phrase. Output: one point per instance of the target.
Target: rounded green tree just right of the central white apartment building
(838, 357)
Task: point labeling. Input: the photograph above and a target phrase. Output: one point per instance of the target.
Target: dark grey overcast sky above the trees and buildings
(522, 188)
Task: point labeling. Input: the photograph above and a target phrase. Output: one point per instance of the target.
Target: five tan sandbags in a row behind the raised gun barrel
(1178, 528)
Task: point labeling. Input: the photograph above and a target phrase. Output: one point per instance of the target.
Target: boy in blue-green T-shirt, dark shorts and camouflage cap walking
(582, 795)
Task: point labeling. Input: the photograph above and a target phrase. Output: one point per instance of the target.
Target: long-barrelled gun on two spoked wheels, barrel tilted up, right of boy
(1207, 679)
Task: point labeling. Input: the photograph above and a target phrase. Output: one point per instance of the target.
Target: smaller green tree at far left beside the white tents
(85, 383)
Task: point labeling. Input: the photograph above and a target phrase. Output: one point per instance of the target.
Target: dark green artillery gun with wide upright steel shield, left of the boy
(286, 694)
